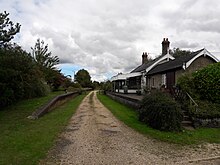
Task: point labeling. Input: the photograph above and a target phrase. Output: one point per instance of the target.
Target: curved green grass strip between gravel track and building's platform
(129, 117)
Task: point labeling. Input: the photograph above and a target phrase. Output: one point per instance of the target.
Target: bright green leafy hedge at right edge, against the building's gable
(207, 83)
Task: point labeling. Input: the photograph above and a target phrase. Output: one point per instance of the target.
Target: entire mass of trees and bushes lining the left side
(24, 76)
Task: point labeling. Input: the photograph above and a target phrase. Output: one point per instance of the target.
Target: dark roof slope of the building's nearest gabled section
(173, 64)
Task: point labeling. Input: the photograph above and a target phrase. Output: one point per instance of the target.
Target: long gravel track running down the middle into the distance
(94, 136)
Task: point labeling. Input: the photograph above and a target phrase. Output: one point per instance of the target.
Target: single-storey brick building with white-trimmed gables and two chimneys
(162, 71)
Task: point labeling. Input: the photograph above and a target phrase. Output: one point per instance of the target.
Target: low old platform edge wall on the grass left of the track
(56, 101)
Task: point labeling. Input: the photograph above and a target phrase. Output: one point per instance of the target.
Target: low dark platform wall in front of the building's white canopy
(134, 103)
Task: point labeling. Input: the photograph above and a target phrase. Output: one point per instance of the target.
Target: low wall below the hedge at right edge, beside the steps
(209, 123)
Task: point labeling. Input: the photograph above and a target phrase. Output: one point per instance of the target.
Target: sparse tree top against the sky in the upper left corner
(7, 29)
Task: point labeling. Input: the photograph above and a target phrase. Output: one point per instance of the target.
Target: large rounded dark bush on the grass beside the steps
(160, 111)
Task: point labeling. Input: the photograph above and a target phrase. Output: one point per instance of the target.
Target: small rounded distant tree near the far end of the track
(83, 78)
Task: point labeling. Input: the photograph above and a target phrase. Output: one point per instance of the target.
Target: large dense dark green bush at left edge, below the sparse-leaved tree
(19, 76)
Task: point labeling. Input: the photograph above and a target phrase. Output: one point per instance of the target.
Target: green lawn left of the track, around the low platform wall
(24, 141)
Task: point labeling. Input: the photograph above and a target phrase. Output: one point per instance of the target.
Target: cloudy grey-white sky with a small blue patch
(107, 37)
